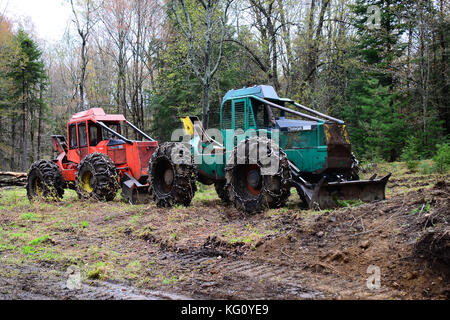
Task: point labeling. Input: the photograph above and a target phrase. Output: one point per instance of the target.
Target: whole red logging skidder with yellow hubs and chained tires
(97, 160)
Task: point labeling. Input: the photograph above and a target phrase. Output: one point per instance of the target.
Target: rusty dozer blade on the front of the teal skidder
(326, 194)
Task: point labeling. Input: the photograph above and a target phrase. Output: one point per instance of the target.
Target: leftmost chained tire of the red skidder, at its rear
(45, 181)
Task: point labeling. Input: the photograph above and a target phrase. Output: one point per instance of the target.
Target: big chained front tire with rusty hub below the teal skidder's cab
(255, 183)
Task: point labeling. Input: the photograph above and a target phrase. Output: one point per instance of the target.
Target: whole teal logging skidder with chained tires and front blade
(307, 150)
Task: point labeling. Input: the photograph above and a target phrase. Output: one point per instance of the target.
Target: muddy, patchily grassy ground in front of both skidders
(210, 251)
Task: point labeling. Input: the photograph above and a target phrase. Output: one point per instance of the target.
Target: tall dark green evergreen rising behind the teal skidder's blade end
(377, 124)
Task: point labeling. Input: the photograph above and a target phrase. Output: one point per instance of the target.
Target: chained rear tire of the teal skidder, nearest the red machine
(172, 175)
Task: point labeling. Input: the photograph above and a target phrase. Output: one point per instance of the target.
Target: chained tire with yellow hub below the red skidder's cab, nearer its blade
(97, 178)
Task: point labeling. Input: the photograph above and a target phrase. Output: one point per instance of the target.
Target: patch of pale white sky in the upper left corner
(50, 17)
